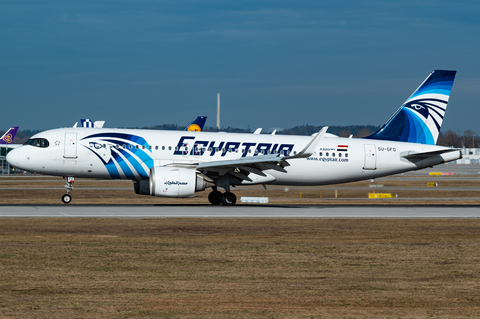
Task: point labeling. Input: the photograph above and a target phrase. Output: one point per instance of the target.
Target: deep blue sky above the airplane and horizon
(275, 63)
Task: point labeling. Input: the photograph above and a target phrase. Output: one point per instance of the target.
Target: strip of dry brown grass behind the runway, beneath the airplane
(31, 190)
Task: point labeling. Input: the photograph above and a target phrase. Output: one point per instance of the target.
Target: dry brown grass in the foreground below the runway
(213, 268)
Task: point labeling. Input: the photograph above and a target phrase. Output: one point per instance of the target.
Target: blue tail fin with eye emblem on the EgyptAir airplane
(419, 119)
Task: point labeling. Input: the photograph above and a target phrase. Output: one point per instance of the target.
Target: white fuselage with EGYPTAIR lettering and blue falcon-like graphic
(130, 154)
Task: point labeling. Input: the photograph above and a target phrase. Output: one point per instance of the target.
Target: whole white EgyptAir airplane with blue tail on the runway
(179, 163)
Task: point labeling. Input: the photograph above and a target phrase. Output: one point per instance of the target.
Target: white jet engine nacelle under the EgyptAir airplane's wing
(175, 182)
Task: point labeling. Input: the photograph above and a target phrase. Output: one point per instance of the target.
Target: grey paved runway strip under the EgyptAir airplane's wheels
(239, 211)
